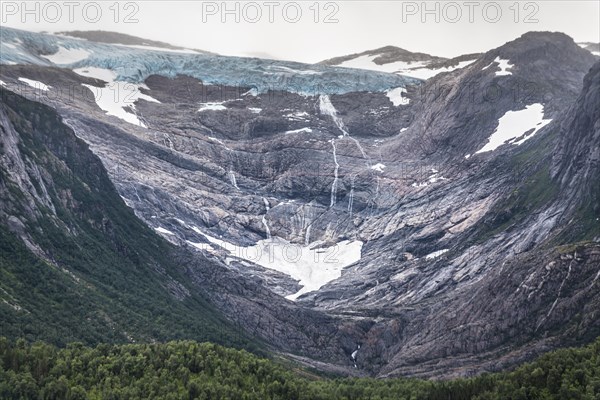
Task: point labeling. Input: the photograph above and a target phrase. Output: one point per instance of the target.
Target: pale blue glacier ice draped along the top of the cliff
(135, 65)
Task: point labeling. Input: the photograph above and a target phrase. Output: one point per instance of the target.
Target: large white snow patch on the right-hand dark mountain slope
(514, 124)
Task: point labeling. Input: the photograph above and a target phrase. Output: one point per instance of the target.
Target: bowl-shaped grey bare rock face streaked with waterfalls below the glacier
(469, 261)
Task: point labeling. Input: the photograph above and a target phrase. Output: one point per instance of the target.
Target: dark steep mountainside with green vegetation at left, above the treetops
(104, 276)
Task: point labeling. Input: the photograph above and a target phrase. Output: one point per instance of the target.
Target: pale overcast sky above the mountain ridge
(298, 32)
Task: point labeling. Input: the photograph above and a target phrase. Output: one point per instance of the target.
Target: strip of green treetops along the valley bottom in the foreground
(190, 370)
